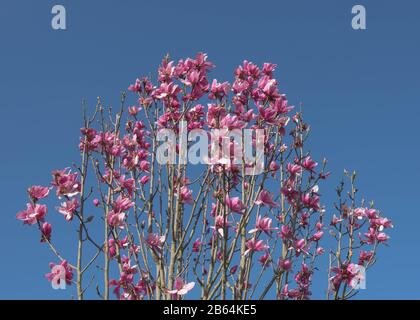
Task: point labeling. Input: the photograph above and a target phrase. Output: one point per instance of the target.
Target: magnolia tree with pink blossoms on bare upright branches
(203, 190)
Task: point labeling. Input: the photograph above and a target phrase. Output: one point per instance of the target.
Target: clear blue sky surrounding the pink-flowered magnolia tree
(360, 91)
